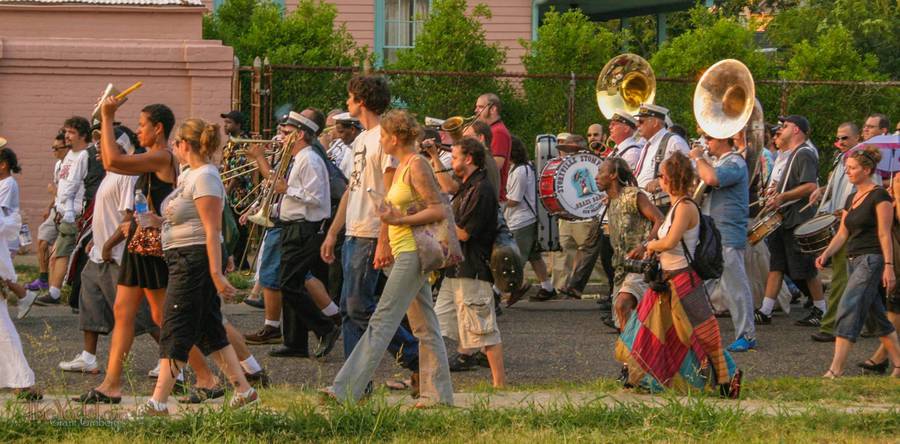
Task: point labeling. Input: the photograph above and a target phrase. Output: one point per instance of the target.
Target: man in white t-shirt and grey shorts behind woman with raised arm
(113, 205)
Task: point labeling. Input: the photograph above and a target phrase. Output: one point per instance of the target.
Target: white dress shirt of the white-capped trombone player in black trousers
(308, 195)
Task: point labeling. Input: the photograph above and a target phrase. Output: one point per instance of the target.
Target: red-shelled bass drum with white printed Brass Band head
(567, 187)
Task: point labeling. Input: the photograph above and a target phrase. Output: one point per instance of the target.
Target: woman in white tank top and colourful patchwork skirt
(680, 306)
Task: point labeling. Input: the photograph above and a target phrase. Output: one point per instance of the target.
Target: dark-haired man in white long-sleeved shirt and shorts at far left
(69, 204)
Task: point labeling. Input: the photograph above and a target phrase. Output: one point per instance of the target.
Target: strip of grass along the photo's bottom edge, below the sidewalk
(698, 420)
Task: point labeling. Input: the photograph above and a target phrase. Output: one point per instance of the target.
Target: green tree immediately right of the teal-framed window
(450, 40)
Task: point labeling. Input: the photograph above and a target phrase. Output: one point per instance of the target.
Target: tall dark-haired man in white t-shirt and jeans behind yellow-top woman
(366, 249)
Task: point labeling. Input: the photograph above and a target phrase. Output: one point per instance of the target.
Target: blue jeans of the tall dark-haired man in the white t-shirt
(358, 301)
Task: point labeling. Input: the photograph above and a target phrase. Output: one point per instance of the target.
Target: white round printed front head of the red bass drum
(575, 187)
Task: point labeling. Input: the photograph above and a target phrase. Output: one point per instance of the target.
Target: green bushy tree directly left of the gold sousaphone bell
(568, 42)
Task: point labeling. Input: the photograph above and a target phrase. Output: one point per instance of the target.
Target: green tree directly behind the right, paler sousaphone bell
(690, 54)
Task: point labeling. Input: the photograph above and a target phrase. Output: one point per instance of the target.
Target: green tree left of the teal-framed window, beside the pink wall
(307, 36)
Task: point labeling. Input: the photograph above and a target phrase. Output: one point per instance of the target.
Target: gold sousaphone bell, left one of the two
(624, 83)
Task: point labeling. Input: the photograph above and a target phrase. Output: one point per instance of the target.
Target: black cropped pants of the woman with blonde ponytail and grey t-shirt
(193, 314)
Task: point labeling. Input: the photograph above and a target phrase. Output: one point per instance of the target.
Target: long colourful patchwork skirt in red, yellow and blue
(672, 340)
